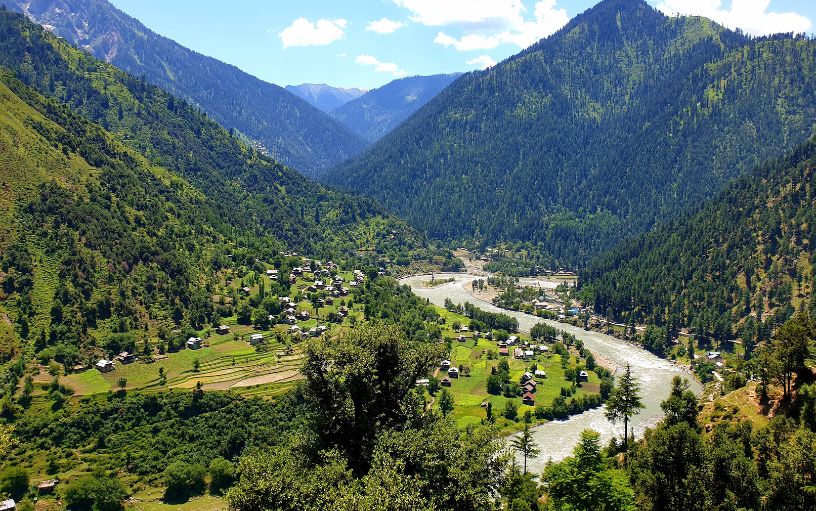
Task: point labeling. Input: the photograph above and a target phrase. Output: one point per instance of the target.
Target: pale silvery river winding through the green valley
(556, 439)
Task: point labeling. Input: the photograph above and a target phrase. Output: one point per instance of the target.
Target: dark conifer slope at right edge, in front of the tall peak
(743, 257)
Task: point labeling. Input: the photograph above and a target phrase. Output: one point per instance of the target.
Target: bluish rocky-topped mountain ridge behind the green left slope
(286, 127)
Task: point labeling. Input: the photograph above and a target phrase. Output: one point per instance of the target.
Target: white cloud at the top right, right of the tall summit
(752, 16)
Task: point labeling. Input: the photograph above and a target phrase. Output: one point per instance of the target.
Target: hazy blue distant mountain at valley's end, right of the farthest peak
(381, 110)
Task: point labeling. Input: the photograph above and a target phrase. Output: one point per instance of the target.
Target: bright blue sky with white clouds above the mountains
(368, 43)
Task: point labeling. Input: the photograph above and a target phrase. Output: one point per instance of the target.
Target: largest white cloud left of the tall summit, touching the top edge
(487, 24)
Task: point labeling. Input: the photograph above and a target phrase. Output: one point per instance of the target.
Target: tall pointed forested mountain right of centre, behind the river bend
(616, 122)
